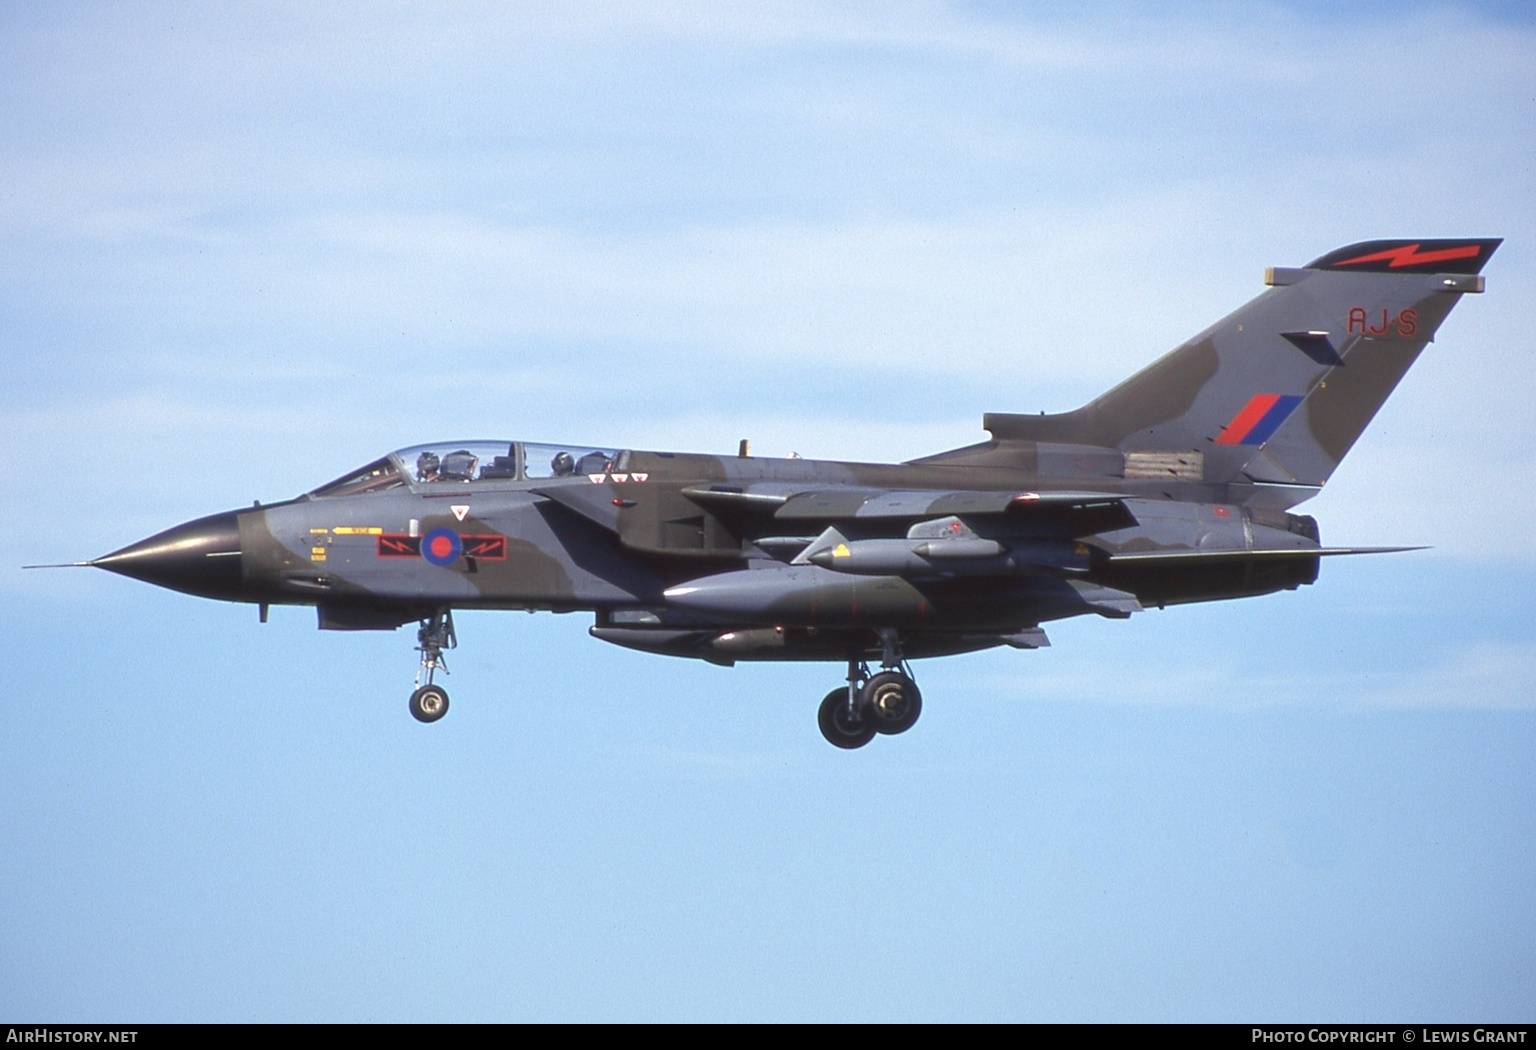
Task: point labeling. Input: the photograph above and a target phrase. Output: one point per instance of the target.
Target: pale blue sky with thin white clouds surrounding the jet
(243, 253)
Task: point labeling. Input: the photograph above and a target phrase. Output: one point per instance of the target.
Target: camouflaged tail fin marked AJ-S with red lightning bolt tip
(1282, 389)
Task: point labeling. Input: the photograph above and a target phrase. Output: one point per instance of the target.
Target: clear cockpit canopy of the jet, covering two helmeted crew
(471, 463)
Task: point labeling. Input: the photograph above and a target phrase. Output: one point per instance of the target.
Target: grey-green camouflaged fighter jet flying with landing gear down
(1177, 486)
